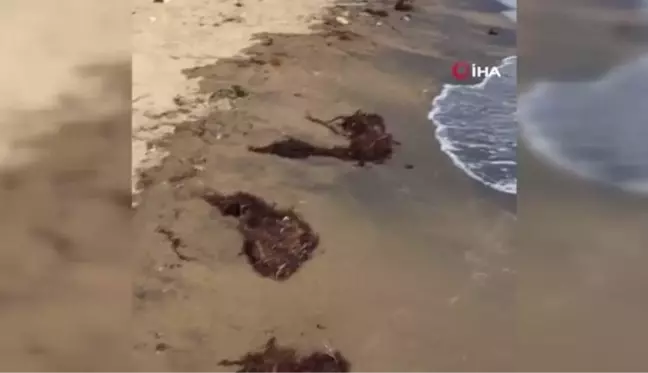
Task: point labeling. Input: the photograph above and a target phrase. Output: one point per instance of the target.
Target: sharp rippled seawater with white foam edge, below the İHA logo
(476, 126)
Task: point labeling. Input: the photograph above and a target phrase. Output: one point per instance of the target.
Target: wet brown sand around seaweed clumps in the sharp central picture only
(414, 267)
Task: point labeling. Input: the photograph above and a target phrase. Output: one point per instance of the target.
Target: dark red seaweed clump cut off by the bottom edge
(278, 359)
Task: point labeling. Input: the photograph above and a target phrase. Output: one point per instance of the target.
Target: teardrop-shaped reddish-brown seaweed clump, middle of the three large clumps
(276, 242)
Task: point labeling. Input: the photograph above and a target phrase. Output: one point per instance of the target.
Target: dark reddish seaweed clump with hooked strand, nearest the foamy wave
(369, 141)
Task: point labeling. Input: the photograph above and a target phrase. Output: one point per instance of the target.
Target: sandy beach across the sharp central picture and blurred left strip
(412, 271)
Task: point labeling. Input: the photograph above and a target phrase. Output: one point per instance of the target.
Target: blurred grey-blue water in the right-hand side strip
(596, 130)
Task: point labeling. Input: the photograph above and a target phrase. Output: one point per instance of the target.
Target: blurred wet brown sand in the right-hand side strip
(582, 248)
